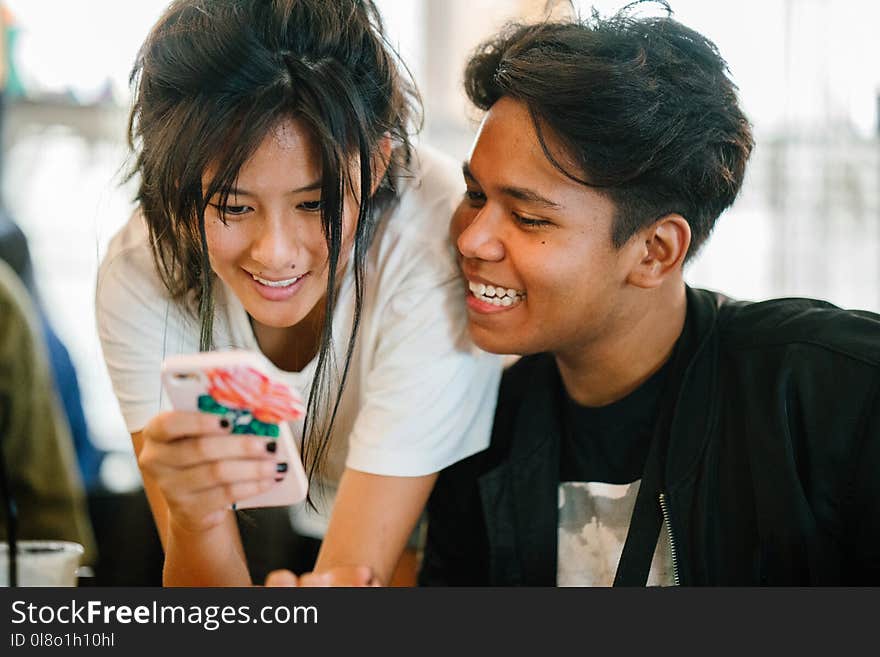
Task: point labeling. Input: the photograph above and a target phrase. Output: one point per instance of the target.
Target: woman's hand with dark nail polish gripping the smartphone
(201, 469)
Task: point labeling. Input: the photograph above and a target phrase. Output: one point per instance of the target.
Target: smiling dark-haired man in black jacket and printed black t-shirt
(652, 433)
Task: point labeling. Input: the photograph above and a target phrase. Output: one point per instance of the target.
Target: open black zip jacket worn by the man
(771, 473)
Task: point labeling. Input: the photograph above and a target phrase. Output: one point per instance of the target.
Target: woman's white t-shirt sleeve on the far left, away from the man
(137, 324)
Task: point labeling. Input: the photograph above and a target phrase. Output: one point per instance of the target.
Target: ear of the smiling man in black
(662, 248)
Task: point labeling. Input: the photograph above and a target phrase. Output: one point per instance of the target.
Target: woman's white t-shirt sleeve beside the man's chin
(430, 394)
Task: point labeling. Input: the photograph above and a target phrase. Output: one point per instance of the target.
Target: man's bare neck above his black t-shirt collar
(607, 370)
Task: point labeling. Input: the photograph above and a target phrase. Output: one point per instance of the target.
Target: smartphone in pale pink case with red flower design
(236, 384)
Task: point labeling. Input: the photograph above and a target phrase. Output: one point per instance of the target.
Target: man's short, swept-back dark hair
(644, 108)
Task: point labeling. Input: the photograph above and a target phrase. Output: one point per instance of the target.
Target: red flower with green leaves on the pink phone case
(251, 401)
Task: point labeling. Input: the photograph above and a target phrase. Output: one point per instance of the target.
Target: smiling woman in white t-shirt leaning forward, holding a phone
(283, 209)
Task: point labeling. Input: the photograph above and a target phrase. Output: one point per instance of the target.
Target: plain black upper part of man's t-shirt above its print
(610, 443)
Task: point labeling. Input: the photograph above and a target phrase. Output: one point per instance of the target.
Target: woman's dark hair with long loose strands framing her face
(212, 79)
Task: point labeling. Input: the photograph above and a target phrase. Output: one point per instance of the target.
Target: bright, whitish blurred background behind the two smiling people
(806, 224)
